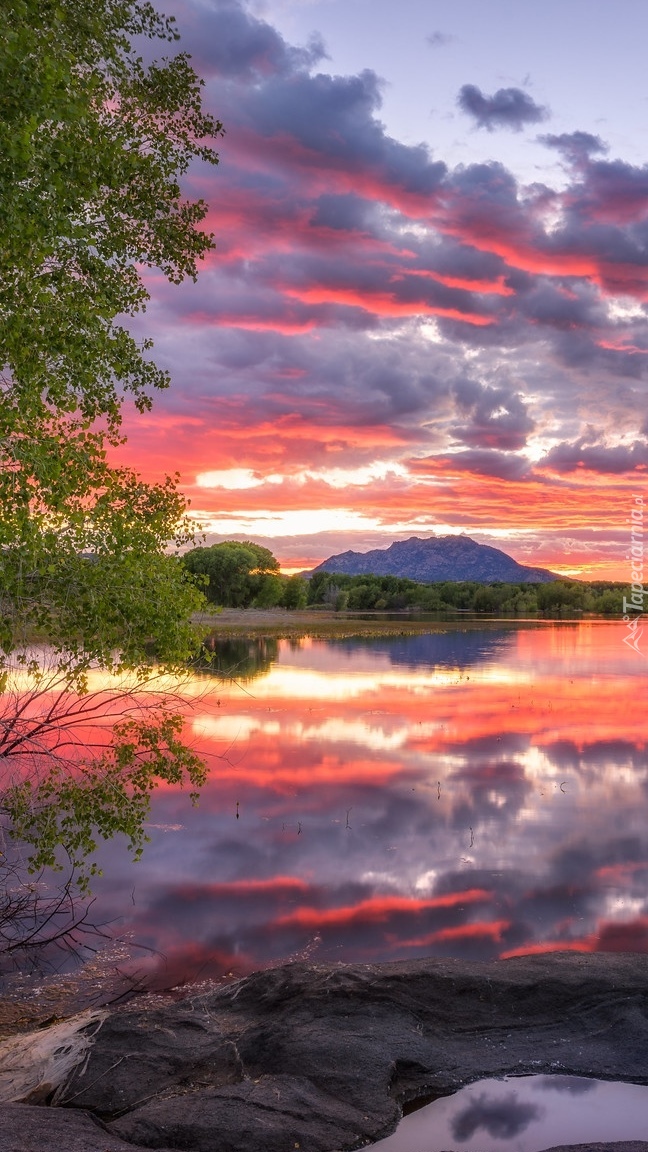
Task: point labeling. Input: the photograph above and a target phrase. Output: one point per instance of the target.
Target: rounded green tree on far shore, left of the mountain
(239, 574)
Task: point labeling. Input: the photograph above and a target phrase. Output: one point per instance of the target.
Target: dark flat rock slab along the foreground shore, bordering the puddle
(322, 1058)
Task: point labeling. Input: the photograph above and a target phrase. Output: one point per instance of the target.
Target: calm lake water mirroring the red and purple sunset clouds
(474, 793)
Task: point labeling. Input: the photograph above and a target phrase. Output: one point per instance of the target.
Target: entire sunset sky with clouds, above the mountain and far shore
(426, 313)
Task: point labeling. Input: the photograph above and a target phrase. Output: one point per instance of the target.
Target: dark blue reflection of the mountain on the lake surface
(453, 649)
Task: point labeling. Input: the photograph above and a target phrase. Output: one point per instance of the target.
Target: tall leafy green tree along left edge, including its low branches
(94, 145)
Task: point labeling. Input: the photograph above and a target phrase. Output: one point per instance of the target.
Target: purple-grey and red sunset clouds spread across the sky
(370, 304)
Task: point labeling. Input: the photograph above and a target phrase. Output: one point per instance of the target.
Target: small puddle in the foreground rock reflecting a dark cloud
(525, 1115)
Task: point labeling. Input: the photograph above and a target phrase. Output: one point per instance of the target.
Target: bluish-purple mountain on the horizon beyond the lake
(456, 558)
